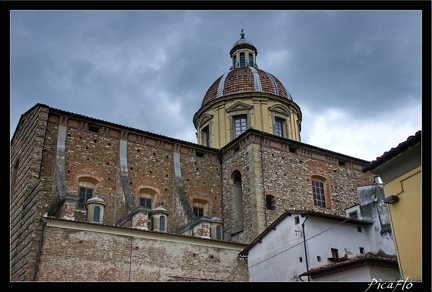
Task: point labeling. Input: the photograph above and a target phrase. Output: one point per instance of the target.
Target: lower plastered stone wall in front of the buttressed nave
(86, 256)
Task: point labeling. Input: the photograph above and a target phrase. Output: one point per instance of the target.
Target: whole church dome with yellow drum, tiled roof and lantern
(246, 97)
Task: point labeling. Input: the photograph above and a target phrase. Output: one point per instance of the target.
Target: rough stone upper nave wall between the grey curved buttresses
(149, 165)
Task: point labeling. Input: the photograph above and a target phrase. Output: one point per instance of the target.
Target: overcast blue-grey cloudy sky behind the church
(356, 75)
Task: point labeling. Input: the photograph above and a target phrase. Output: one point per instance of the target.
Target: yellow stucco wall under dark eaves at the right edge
(406, 216)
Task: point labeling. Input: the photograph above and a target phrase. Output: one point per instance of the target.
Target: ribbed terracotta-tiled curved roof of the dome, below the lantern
(246, 79)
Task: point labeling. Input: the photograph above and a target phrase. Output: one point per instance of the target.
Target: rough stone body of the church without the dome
(52, 150)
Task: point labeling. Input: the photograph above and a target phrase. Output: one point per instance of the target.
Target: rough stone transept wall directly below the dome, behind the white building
(286, 175)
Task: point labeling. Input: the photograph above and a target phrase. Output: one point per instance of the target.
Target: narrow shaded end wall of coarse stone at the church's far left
(29, 195)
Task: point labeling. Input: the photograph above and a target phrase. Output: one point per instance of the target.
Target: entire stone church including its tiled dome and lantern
(97, 201)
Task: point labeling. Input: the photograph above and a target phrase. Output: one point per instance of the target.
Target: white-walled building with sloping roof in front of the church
(312, 246)
